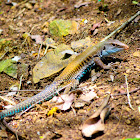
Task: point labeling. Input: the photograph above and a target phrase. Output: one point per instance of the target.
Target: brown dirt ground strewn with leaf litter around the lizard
(123, 122)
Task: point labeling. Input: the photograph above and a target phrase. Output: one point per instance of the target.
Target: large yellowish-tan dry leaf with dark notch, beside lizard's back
(52, 63)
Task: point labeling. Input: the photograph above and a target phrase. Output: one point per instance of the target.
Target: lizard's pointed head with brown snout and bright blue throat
(113, 46)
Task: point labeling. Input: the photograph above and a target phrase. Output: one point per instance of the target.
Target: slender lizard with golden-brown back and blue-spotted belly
(71, 75)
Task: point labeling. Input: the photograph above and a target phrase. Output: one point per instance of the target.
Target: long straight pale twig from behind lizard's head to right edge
(121, 27)
